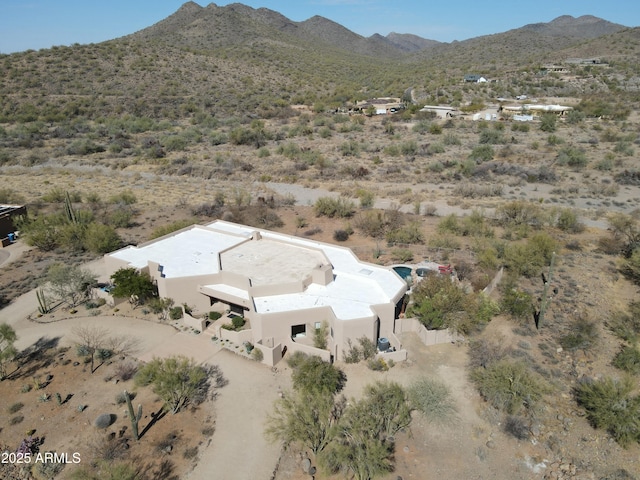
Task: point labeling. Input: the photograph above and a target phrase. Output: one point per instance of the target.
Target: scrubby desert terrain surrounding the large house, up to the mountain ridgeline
(542, 384)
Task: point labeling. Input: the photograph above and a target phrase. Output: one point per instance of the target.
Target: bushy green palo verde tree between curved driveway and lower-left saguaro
(177, 380)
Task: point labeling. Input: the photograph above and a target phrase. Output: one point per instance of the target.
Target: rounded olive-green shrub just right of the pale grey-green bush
(509, 386)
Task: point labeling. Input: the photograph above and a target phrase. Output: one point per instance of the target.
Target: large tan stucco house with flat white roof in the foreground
(285, 286)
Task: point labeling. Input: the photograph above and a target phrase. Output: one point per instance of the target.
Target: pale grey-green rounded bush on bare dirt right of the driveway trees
(433, 399)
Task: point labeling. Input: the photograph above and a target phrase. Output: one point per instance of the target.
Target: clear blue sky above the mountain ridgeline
(36, 24)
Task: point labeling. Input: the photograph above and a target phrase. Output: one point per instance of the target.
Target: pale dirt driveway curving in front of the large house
(238, 448)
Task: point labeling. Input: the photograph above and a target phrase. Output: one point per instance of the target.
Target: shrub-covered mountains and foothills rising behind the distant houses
(244, 60)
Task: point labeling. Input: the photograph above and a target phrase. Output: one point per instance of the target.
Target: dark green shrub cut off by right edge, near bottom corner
(610, 406)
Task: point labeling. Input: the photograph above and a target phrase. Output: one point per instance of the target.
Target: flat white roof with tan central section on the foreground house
(272, 258)
